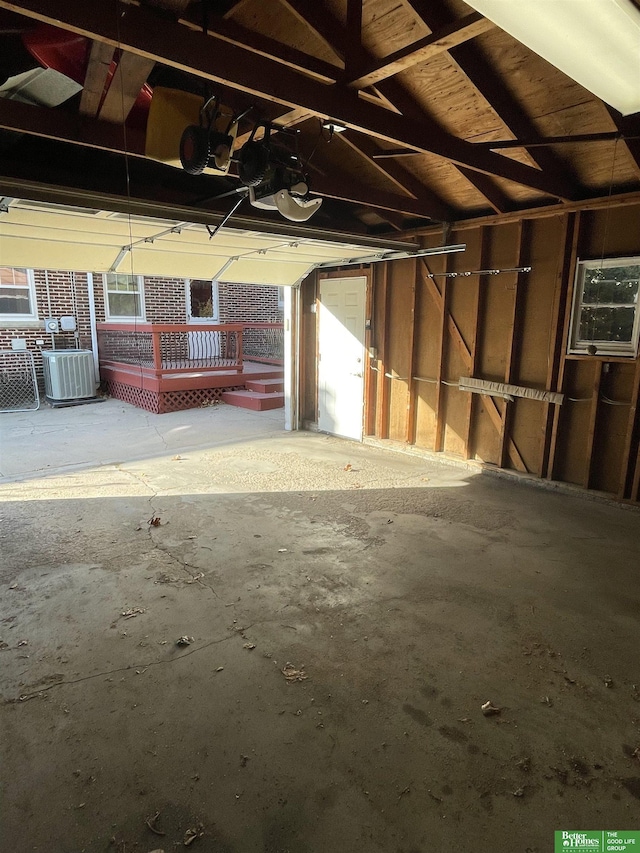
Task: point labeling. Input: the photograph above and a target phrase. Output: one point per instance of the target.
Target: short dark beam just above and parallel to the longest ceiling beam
(234, 33)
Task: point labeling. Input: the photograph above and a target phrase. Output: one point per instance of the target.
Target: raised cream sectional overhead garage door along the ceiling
(45, 236)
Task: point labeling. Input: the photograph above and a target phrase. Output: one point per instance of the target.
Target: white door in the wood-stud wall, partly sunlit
(341, 356)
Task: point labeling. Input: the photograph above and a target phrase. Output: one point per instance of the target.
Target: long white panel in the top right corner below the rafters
(595, 42)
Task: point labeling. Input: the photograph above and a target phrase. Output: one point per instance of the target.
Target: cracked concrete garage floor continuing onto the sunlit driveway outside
(408, 593)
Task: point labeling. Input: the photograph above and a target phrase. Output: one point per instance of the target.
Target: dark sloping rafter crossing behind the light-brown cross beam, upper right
(471, 61)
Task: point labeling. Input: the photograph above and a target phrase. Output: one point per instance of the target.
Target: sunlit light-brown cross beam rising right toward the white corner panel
(446, 38)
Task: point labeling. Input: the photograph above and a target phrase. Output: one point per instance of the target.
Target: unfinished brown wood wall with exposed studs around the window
(512, 327)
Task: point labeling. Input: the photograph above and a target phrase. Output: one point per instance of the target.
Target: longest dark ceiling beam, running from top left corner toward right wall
(141, 32)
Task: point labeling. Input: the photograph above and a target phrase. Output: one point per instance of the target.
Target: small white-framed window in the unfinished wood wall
(606, 315)
